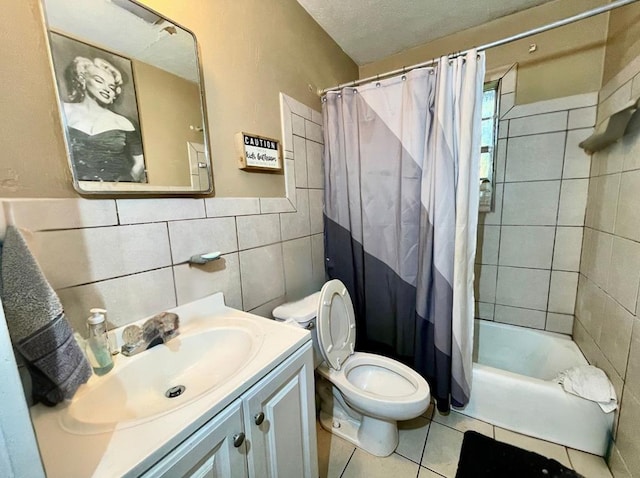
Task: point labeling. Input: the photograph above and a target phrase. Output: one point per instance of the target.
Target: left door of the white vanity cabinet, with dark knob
(217, 450)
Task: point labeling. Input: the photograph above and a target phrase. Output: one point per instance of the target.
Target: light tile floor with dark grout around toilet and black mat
(429, 448)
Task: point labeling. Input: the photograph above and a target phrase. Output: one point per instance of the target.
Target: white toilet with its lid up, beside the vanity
(362, 396)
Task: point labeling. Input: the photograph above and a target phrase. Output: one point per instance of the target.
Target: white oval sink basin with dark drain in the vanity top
(166, 377)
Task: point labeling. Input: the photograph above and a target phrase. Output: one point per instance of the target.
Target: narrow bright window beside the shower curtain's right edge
(488, 143)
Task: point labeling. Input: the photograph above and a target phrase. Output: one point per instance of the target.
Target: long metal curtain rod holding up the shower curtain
(519, 36)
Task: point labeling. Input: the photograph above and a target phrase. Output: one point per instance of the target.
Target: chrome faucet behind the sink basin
(159, 329)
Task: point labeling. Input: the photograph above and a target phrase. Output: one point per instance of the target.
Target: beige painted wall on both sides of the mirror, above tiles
(250, 50)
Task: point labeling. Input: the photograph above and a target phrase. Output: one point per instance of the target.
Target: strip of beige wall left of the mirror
(34, 162)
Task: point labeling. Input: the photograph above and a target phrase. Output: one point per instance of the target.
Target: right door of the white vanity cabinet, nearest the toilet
(279, 416)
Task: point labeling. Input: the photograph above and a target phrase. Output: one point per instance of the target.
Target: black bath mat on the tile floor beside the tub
(484, 457)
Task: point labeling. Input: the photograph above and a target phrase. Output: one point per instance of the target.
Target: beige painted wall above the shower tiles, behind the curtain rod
(568, 60)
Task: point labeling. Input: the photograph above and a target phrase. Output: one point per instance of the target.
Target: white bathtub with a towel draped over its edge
(512, 387)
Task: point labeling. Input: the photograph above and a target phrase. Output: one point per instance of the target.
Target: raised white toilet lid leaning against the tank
(336, 324)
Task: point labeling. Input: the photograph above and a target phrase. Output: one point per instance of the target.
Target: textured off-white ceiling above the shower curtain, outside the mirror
(369, 30)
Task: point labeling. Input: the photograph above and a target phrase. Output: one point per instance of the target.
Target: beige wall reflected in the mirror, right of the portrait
(168, 106)
